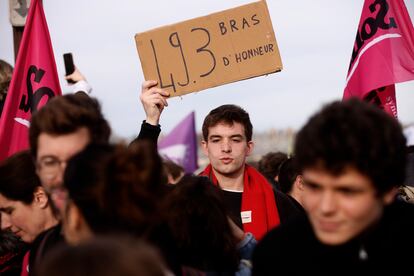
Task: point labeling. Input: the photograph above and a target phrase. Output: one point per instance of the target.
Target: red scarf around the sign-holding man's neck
(258, 197)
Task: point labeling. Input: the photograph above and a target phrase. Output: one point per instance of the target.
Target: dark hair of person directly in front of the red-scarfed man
(198, 218)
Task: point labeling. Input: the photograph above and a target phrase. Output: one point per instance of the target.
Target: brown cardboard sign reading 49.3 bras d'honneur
(212, 50)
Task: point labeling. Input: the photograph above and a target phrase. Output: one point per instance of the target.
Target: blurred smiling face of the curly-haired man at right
(341, 207)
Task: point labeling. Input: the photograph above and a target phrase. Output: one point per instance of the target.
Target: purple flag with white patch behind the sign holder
(180, 146)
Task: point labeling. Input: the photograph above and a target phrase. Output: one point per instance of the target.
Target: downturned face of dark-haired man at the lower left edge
(24, 220)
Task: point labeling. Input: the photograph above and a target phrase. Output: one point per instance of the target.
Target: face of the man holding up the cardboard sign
(227, 148)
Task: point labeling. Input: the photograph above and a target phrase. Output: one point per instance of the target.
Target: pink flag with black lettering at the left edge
(34, 82)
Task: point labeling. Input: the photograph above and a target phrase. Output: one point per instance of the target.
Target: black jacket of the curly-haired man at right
(293, 249)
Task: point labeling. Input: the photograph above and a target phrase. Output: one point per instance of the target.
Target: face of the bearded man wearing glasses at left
(53, 152)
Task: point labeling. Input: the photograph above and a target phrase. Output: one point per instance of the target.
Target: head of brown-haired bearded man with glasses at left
(59, 130)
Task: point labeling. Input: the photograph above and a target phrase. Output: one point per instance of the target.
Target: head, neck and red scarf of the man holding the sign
(227, 141)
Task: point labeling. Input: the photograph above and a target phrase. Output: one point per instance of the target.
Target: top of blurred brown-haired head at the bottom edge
(105, 256)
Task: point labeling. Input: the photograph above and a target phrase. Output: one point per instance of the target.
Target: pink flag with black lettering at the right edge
(383, 53)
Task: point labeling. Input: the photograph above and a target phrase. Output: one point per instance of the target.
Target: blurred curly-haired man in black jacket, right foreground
(352, 156)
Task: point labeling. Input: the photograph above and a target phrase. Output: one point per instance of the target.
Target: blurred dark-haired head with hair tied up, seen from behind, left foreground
(120, 194)
